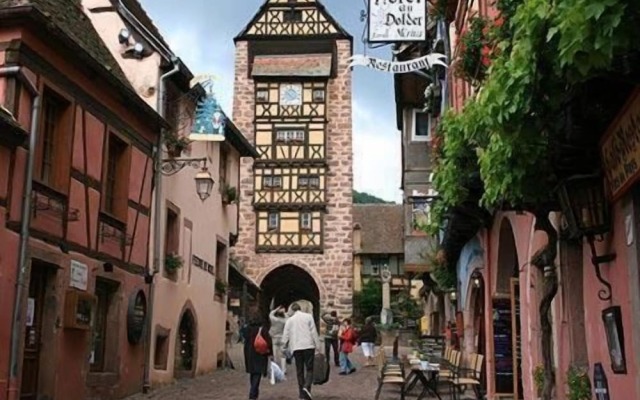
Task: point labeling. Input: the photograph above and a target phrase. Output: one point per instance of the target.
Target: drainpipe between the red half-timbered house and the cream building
(157, 232)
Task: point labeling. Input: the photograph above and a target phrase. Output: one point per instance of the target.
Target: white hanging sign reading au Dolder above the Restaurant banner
(397, 20)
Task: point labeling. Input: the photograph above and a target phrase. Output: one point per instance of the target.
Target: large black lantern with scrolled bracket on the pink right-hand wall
(586, 211)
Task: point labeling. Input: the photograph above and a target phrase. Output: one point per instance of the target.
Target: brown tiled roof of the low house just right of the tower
(381, 227)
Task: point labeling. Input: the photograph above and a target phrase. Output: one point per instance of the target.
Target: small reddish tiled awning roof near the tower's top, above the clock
(292, 65)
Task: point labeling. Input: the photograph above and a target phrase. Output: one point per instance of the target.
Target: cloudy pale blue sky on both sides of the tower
(201, 33)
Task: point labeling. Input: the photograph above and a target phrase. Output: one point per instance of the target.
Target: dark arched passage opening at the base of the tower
(287, 284)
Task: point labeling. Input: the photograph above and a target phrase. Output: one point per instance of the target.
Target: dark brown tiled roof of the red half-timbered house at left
(68, 17)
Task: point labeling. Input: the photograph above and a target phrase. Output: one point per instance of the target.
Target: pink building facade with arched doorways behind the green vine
(500, 290)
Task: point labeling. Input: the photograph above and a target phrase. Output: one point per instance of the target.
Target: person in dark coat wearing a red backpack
(256, 364)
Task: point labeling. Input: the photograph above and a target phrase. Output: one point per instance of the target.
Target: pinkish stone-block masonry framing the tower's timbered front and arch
(332, 270)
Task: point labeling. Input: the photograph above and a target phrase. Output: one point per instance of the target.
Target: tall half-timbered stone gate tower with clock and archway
(293, 100)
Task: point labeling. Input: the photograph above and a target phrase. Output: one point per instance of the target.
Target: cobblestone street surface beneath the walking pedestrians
(233, 385)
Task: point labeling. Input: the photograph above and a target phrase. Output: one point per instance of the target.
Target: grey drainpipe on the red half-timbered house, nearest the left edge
(17, 323)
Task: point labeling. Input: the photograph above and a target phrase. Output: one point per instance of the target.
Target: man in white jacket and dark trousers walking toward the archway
(301, 337)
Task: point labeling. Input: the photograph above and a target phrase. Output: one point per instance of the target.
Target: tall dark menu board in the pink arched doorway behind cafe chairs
(503, 345)
